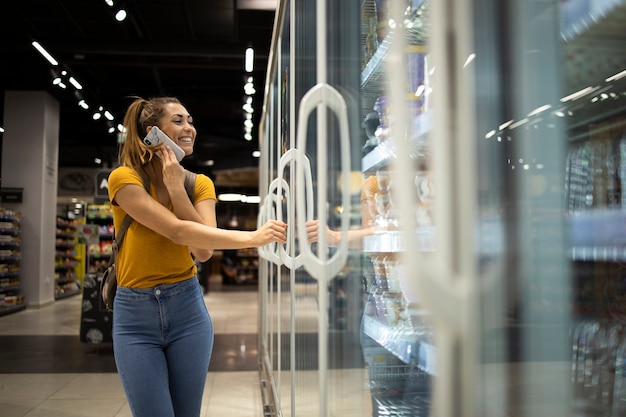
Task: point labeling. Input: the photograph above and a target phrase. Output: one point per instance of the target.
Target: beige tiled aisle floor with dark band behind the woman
(46, 371)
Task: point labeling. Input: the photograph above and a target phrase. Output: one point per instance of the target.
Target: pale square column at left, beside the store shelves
(30, 154)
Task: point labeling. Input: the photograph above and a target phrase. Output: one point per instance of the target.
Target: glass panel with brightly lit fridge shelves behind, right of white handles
(396, 334)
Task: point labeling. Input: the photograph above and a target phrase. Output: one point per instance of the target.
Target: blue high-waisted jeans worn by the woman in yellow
(162, 340)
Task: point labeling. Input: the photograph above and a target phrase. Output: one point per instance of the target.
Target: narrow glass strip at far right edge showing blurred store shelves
(594, 112)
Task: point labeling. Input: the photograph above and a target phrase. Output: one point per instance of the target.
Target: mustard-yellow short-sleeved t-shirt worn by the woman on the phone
(147, 259)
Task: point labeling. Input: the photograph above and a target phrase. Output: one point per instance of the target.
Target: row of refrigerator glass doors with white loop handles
(451, 175)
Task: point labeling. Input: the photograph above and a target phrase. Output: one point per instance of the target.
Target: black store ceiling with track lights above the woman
(191, 49)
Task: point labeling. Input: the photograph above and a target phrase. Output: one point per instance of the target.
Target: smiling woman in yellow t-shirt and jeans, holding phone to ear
(162, 332)
